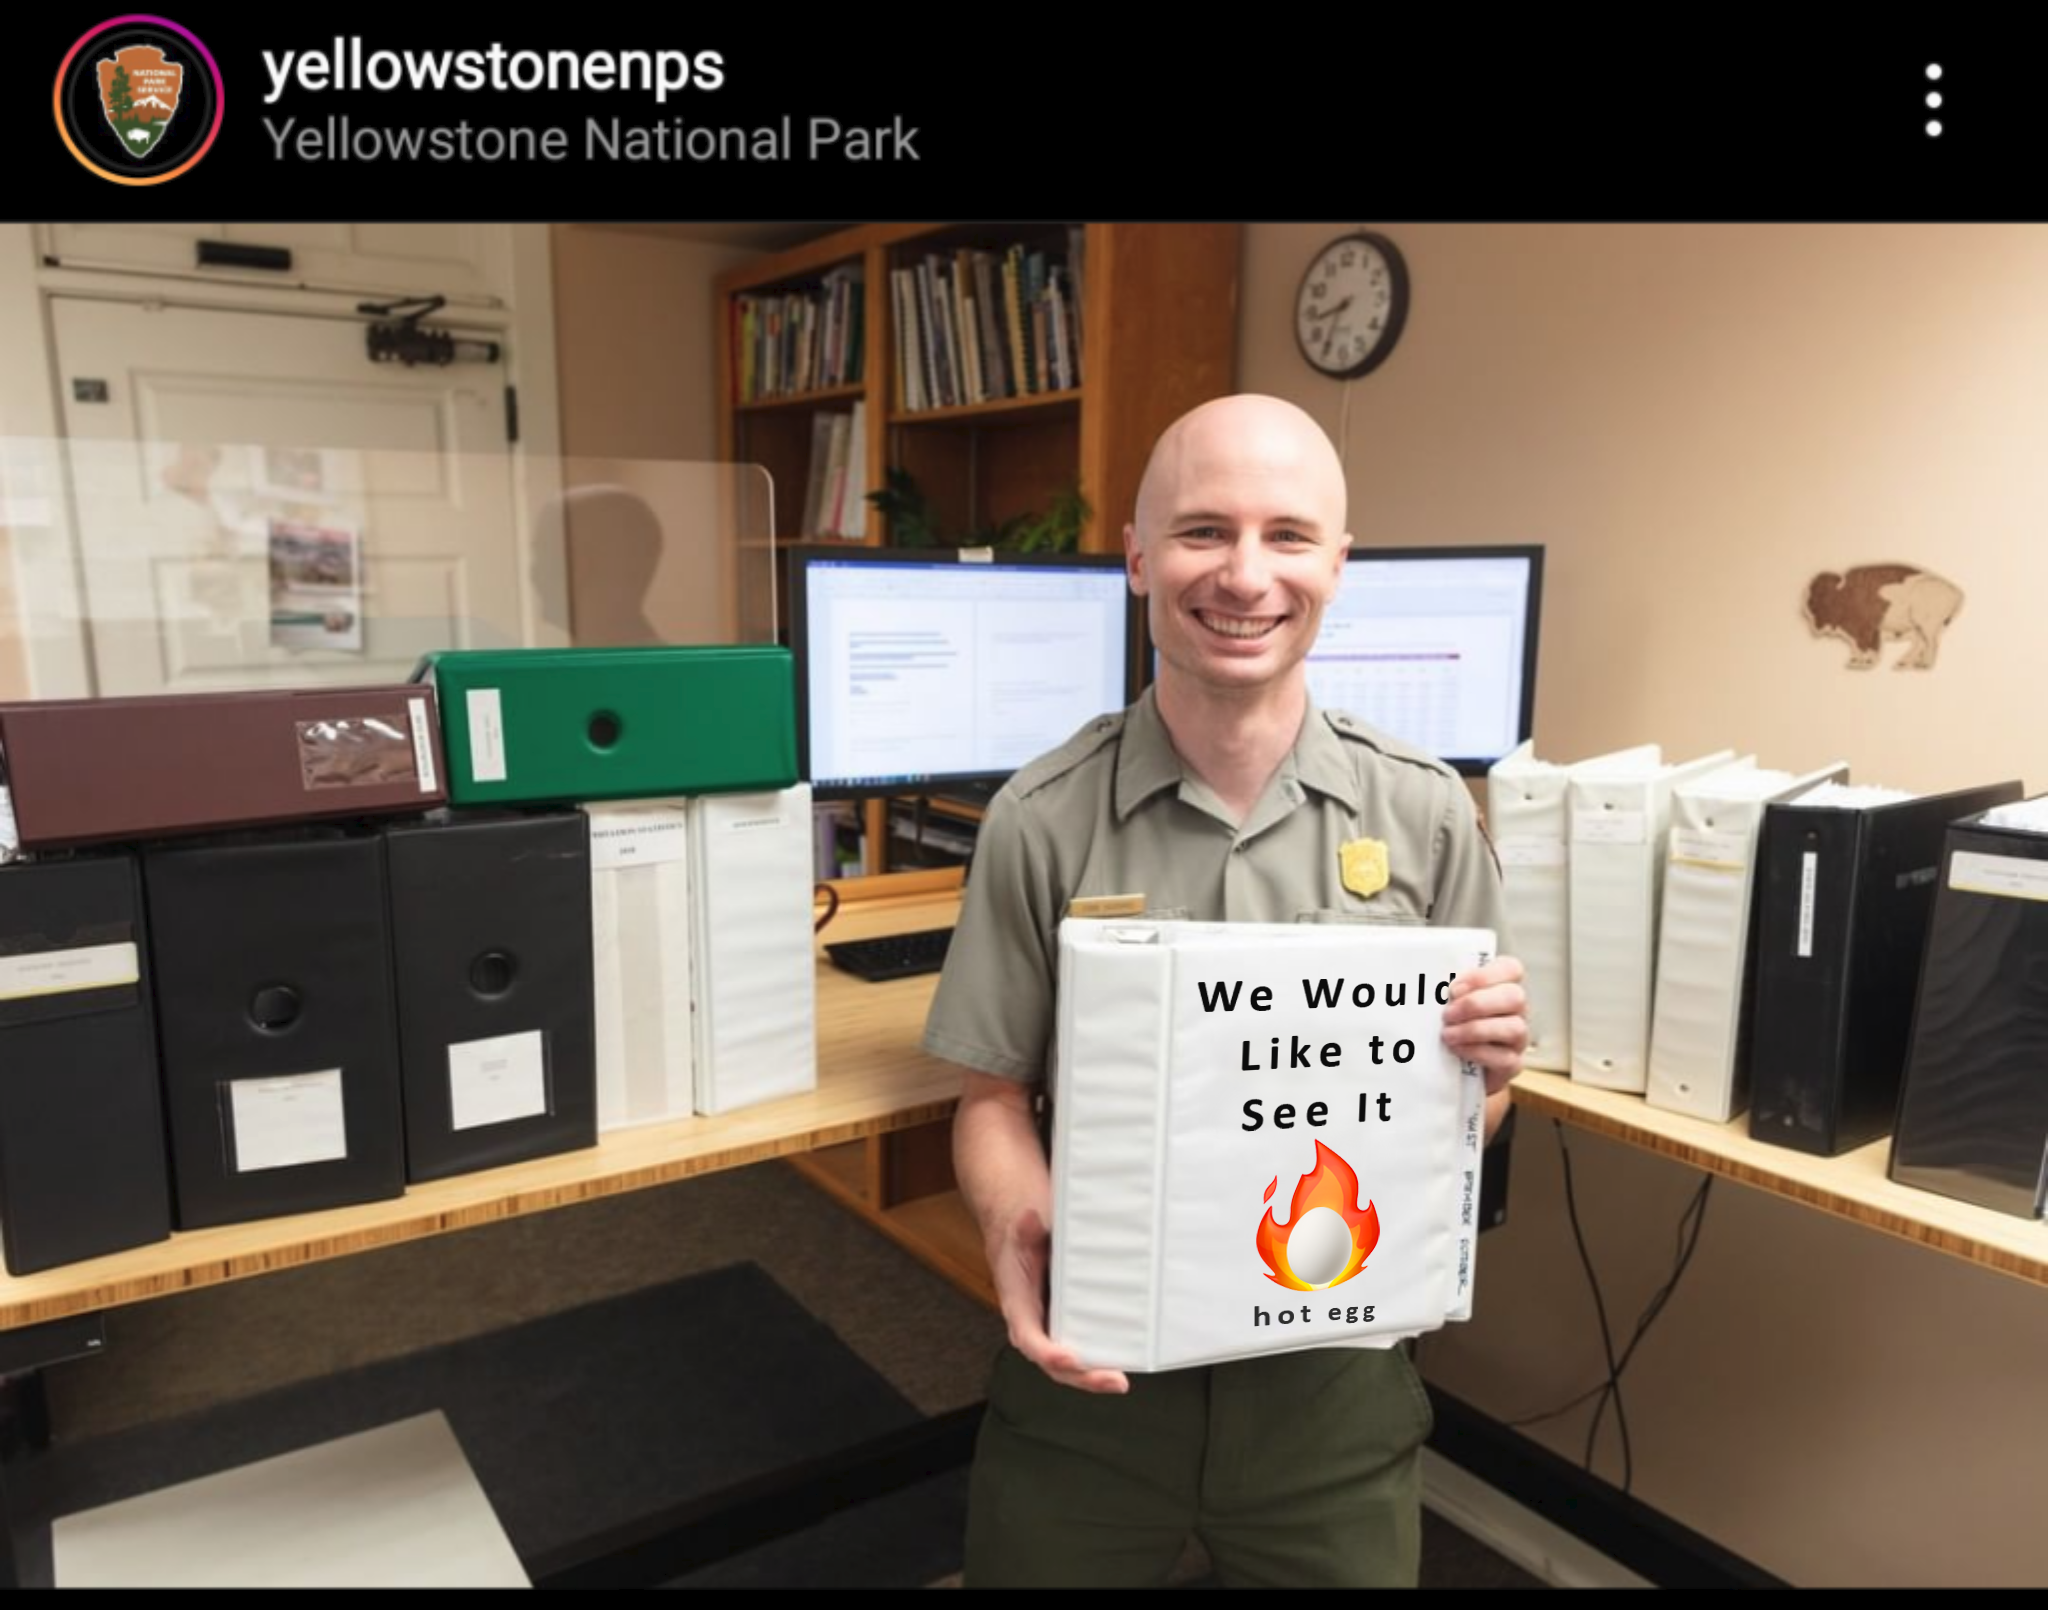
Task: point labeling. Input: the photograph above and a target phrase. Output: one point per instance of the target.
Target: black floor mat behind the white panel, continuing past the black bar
(589, 1421)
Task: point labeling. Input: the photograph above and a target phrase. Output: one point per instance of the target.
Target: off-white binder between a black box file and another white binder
(640, 910)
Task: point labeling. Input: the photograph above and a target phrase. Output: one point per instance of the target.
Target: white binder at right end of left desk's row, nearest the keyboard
(753, 960)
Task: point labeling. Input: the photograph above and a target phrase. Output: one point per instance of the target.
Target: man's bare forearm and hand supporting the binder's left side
(1005, 1179)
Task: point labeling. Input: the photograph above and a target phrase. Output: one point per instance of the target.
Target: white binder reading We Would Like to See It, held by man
(1261, 1142)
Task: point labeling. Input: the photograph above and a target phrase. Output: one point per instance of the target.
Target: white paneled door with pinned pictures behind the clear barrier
(259, 505)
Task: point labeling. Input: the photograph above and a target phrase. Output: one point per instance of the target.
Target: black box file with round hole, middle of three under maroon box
(275, 1023)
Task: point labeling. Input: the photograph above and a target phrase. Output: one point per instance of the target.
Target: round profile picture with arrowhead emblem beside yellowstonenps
(138, 99)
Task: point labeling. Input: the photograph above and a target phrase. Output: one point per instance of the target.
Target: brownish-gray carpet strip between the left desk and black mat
(931, 1343)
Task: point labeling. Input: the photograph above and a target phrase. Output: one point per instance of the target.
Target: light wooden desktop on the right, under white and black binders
(1852, 1187)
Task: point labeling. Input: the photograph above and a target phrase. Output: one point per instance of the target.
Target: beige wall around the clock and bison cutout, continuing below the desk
(1695, 421)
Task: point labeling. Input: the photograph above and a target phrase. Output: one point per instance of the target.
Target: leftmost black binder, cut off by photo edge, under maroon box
(83, 1167)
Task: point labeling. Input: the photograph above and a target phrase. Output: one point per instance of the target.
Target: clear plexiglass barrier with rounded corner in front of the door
(191, 566)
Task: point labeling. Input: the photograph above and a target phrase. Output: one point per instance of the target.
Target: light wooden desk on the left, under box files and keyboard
(871, 1083)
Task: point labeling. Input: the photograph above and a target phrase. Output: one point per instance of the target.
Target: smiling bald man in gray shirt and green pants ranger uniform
(1222, 796)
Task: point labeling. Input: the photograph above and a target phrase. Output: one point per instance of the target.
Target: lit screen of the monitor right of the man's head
(1435, 646)
